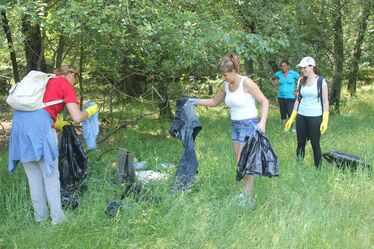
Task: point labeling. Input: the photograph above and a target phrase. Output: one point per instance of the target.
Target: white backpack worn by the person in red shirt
(27, 95)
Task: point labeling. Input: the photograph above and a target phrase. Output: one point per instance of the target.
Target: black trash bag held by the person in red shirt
(72, 164)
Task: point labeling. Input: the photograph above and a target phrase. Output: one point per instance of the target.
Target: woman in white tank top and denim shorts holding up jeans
(240, 94)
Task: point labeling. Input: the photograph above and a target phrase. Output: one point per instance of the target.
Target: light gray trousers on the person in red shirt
(44, 188)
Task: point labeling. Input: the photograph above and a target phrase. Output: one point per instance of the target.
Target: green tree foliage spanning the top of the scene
(174, 40)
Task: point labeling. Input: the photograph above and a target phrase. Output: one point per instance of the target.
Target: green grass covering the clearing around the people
(303, 208)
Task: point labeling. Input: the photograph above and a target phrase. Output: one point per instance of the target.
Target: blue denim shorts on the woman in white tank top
(242, 128)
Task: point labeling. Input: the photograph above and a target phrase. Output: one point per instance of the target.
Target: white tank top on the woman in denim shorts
(242, 105)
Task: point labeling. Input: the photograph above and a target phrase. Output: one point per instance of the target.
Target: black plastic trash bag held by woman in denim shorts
(257, 158)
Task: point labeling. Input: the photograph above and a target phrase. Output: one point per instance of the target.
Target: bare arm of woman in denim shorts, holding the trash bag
(251, 87)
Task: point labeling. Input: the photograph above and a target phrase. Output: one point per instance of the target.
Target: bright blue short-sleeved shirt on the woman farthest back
(286, 86)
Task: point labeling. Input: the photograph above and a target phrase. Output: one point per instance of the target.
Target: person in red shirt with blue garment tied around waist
(33, 142)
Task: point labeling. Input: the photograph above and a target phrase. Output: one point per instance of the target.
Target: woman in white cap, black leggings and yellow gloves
(311, 110)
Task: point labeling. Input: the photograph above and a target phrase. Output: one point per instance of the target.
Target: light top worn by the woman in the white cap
(310, 104)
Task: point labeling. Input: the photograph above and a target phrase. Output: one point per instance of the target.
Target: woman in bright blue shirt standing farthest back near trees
(285, 80)
